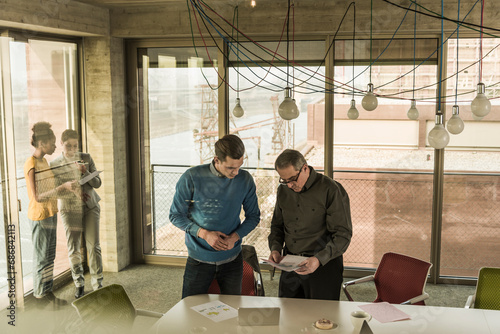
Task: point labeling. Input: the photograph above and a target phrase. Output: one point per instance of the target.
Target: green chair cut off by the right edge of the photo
(487, 294)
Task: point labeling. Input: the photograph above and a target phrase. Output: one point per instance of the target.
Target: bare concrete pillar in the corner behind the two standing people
(104, 65)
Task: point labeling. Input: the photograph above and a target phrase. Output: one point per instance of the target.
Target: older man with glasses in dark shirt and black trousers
(311, 218)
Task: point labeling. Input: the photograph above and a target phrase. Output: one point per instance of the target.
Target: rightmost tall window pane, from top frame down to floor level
(471, 215)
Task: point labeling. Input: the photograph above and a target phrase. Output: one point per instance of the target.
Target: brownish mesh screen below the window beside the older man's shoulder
(390, 212)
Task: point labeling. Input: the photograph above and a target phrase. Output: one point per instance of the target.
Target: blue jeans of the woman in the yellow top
(44, 237)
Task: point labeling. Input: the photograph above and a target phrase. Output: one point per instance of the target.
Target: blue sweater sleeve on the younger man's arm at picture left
(183, 199)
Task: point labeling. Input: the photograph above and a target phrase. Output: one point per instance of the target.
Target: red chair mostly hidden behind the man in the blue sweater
(251, 284)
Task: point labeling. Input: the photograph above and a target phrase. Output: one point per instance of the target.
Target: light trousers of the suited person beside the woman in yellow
(86, 222)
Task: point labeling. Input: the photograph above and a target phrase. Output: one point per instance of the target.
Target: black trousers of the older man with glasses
(324, 283)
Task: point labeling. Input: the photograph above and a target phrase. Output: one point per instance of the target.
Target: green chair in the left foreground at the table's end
(109, 310)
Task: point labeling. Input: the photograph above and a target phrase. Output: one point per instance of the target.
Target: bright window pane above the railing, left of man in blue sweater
(182, 97)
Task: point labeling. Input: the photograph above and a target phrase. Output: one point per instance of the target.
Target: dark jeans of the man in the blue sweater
(198, 276)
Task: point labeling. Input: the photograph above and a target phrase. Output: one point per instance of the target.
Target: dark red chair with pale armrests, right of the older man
(399, 279)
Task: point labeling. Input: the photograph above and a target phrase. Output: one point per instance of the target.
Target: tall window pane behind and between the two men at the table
(261, 80)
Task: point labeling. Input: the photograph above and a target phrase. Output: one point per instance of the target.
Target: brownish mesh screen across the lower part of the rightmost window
(471, 224)
